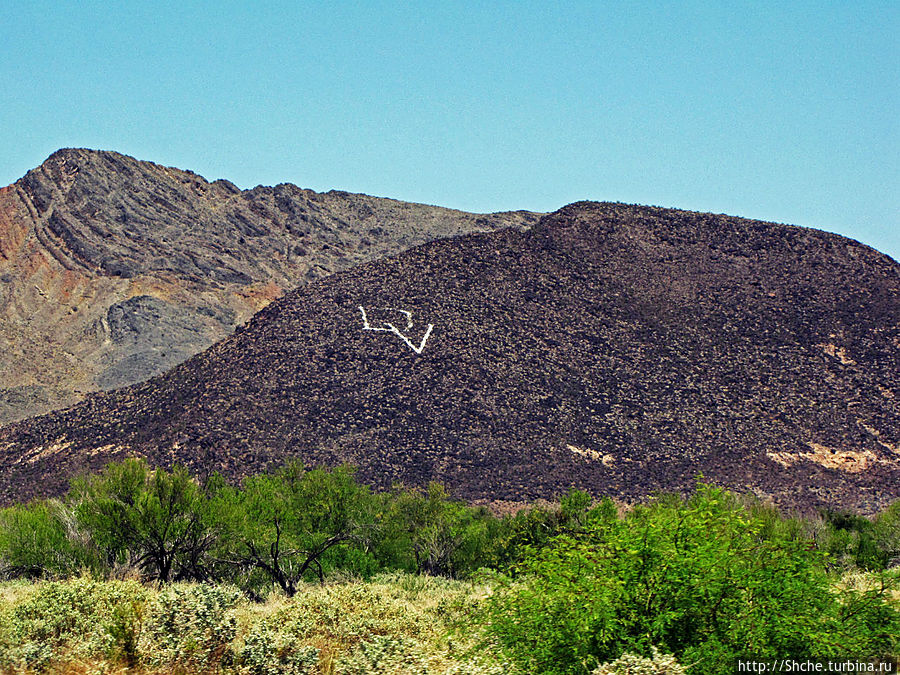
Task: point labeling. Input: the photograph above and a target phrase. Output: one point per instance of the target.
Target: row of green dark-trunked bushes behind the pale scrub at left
(286, 527)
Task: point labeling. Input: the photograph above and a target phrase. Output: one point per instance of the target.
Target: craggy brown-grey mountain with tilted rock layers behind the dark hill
(113, 270)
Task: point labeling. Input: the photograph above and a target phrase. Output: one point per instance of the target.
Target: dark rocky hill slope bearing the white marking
(616, 348)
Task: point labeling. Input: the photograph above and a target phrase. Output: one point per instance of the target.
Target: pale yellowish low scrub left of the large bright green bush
(391, 624)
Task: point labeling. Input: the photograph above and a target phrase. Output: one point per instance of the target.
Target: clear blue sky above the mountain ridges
(785, 111)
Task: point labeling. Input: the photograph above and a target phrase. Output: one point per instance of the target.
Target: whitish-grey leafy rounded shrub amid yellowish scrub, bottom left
(190, 626)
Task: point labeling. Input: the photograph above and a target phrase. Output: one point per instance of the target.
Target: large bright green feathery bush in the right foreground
(698, 578)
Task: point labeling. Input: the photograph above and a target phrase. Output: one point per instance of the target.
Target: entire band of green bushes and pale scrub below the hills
(245, 580)
